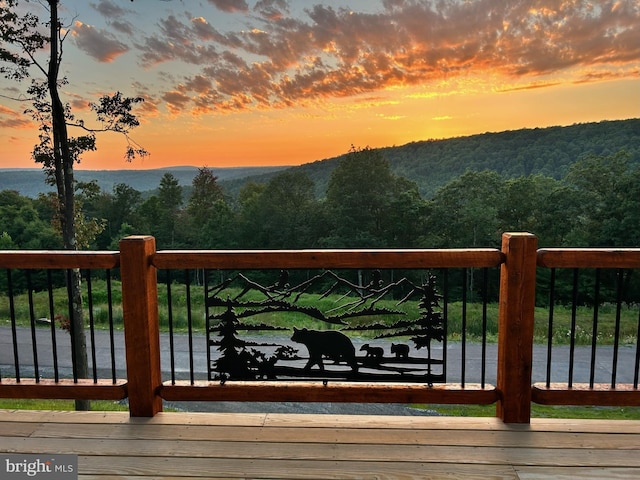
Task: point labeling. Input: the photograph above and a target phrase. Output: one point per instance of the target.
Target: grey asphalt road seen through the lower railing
(197, 356)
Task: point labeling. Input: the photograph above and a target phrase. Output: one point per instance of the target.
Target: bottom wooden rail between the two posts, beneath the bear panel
(308, 391)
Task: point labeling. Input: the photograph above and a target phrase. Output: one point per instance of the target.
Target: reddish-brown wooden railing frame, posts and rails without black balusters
(513, 393)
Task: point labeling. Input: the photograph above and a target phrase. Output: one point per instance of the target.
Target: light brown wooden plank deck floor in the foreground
(276, 446)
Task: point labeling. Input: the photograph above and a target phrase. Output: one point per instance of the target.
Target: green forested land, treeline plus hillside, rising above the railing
(590, 200)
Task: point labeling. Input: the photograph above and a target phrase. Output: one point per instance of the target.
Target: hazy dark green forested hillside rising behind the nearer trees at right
(433, 163)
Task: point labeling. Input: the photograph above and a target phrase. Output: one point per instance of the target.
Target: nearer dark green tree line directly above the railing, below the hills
(597, 203)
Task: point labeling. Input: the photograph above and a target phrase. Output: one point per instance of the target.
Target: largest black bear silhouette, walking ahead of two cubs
(331, 344)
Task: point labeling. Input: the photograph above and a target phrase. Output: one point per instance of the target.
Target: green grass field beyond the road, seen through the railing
(474, 322)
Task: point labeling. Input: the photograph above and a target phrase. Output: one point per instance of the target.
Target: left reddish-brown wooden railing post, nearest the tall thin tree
(141, 329)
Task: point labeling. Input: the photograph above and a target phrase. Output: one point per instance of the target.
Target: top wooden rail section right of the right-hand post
(589, 257)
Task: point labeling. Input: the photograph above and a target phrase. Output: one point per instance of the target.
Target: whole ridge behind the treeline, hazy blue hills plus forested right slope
(430, 163)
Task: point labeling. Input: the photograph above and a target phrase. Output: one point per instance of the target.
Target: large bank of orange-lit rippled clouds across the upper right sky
(280, 60)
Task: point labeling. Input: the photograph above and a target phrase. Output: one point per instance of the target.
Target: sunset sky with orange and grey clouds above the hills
(284, 82)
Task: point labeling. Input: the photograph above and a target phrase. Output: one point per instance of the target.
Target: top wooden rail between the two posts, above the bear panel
(265, 259)
